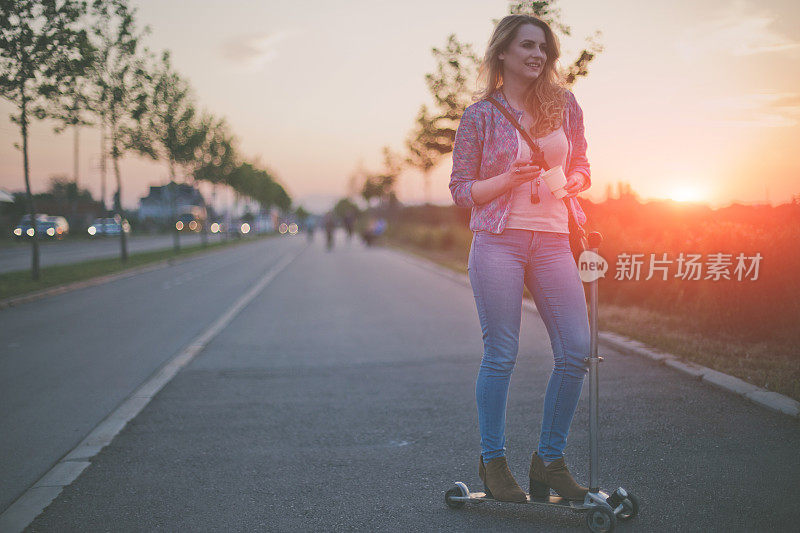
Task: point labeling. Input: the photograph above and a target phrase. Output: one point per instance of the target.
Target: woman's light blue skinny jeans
(498, 267)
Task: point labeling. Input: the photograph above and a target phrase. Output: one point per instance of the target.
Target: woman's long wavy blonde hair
(545, 98)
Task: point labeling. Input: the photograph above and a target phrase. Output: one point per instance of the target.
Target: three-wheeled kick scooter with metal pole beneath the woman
(602, 509)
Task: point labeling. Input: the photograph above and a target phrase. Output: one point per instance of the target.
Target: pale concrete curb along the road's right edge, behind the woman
(757, 395)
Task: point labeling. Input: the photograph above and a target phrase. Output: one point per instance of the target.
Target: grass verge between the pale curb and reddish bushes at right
(773, 366)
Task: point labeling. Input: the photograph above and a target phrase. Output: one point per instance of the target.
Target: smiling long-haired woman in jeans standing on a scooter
(521, 236)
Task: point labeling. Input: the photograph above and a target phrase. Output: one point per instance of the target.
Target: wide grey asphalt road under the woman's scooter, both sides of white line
(342, 398)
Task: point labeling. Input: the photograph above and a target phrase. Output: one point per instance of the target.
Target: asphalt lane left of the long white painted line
(68, 360)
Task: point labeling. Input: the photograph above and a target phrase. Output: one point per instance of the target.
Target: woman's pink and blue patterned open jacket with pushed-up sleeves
(486, 145)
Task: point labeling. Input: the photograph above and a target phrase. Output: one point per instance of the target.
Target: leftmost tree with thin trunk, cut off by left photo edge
(41, 45)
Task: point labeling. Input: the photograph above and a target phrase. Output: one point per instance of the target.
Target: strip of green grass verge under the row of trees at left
(19, 282)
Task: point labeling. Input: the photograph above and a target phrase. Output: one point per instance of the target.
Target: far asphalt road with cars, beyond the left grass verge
(17, 256)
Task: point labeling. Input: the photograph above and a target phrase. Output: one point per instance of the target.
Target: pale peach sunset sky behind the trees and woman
(688, 100)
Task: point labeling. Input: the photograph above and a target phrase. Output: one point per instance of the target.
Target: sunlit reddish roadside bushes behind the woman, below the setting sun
(767, 308)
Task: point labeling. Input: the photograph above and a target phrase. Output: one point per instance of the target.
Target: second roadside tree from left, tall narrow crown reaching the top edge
(119, 85)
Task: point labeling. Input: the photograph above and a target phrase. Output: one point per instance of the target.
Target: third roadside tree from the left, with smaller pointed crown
(166, 130)
